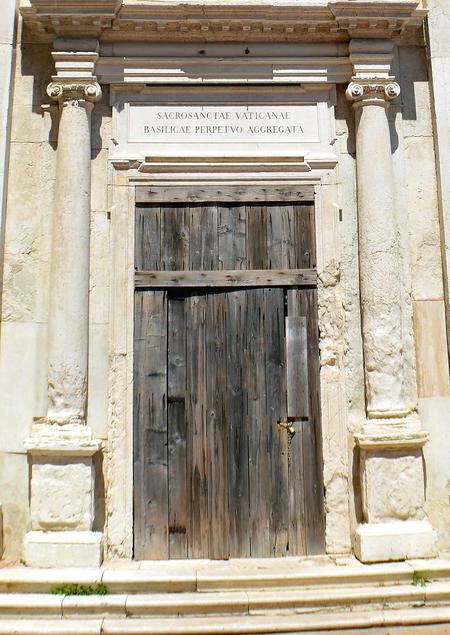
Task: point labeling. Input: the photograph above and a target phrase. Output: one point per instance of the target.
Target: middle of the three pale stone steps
(223, 604)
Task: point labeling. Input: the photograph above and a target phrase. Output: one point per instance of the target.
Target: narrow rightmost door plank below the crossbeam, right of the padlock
(312, 439)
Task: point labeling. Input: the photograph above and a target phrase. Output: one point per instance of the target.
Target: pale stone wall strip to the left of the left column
(25, 281)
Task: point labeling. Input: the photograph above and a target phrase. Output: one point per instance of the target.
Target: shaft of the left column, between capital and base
(69, 291)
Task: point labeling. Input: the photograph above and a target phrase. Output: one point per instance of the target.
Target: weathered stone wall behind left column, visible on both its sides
(28, 236)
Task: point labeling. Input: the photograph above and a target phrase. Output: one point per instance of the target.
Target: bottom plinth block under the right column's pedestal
(398, 540)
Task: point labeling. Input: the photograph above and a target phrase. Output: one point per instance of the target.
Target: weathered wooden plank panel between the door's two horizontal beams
(207, 237)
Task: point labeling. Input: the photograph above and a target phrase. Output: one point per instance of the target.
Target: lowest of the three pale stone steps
(334, 622)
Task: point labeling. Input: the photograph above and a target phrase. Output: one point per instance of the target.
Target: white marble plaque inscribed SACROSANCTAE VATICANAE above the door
(223, 124)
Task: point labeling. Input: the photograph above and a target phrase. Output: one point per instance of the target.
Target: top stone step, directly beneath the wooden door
(233, 575)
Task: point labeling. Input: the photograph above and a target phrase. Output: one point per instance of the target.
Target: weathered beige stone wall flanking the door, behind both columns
(25, 300)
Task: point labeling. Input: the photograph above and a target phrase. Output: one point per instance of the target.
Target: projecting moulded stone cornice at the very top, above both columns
(114, 20)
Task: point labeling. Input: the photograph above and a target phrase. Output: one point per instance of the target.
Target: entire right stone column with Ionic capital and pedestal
(391, 440)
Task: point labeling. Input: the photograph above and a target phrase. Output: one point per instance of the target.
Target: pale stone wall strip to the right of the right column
(419, 207)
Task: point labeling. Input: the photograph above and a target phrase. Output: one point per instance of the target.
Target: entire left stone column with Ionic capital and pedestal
(61, 446)
